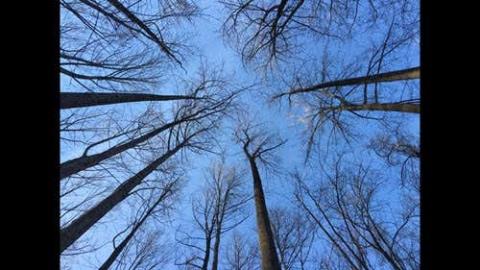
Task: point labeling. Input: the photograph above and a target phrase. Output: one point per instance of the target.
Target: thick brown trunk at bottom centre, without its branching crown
(267, 246)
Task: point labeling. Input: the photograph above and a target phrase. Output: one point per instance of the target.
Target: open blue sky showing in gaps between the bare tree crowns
(283, 120)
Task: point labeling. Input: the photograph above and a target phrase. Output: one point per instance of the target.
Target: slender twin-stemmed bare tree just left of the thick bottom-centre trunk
(218, 210)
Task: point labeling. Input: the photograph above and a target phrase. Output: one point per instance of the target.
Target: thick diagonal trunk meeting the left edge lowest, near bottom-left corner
(79, 226)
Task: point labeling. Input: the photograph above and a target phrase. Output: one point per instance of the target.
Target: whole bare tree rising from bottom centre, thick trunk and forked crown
(257, 146)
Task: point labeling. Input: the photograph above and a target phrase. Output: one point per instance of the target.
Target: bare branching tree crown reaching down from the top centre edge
(267, 29)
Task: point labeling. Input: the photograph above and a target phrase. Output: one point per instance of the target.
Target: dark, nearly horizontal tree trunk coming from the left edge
(70, 100)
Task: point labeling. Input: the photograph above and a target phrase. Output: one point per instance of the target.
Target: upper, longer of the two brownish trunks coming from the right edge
(398, 75)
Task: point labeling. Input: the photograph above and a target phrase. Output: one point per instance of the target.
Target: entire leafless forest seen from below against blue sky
(239, 134)
